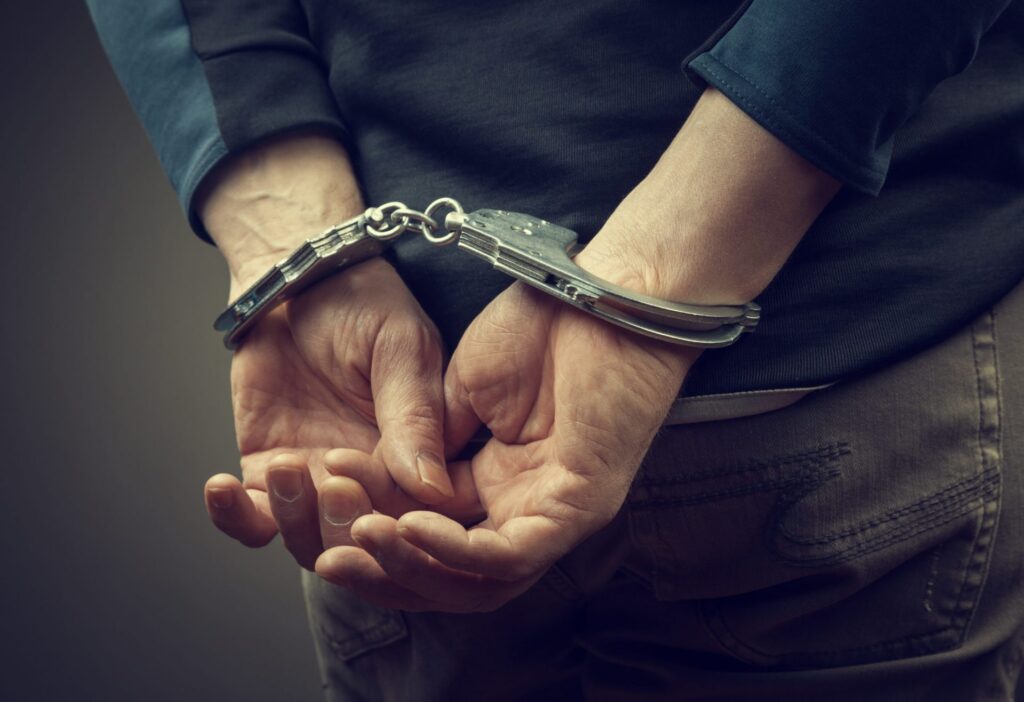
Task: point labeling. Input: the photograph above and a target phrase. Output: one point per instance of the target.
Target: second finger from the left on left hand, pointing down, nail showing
(293, 503)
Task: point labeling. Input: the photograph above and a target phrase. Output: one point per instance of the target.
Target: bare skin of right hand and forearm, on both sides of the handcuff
(573, 403)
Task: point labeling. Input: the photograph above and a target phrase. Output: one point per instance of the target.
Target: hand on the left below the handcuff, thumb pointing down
(356, 364)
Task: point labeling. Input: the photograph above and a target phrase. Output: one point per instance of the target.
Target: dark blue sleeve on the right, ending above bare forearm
(835, 80)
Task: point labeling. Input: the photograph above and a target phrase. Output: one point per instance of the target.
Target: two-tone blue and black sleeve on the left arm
(210, 78)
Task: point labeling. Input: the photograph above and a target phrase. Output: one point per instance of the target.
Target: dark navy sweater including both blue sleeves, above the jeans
(559, 110)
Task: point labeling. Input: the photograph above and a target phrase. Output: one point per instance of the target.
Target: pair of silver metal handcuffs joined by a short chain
(529, 249)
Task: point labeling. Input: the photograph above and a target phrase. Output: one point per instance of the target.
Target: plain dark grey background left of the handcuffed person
(116, 411)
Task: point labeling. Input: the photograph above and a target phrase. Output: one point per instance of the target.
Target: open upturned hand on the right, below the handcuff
(573, 404)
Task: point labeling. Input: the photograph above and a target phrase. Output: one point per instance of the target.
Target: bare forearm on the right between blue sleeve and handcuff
(718, 215)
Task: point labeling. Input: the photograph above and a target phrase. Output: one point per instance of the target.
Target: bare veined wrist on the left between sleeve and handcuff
(264, 203)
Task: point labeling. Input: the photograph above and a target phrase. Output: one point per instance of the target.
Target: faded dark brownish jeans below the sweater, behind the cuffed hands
(863, 544)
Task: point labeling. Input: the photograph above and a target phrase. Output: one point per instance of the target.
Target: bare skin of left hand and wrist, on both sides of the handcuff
(353, 364)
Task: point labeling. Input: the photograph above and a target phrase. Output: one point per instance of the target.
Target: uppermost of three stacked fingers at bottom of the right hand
(525, 547)
